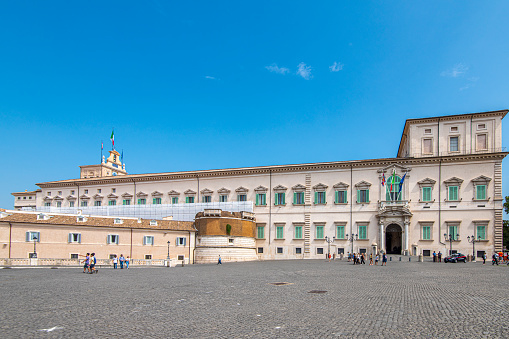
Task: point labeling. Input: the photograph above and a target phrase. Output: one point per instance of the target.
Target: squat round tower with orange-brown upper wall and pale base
(230, 235)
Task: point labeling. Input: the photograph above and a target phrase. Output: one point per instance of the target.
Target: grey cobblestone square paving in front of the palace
(234, 300)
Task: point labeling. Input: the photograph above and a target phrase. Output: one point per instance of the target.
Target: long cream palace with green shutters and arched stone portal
(442, 190)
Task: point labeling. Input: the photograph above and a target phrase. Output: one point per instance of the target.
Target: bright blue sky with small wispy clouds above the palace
(200, 85)
